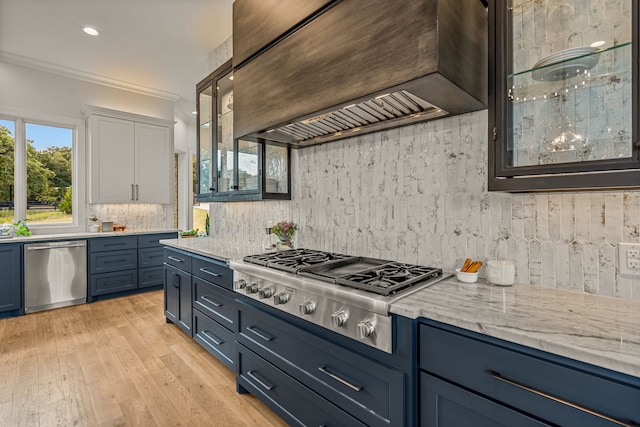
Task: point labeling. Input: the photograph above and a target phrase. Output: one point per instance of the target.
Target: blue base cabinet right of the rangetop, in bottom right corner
(472, 379)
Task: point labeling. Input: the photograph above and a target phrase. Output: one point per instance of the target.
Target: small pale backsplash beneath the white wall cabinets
(133, 216)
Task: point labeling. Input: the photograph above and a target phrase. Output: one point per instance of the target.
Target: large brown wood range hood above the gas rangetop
(361, 66)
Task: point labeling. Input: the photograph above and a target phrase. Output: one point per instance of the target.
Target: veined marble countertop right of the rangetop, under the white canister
(603, 331)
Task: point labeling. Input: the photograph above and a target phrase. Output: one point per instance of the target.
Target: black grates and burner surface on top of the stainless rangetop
(369, 274)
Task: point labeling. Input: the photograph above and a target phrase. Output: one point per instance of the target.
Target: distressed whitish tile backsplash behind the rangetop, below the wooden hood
(419, 194)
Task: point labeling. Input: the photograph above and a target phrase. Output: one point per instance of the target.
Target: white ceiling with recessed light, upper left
(157, 47)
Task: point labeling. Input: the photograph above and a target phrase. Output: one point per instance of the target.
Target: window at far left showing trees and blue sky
(37, 172)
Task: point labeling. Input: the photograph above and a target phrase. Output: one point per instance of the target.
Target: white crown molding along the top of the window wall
(48, 67)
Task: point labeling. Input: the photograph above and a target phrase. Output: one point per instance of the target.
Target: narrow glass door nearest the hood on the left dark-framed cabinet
(225, 162)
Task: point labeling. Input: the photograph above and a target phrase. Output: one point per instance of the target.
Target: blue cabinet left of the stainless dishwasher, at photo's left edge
(10, 285)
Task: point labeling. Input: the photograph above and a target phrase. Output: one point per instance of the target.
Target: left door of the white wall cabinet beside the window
(112, 160)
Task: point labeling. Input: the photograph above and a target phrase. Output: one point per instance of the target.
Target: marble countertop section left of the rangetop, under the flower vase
(221, 249)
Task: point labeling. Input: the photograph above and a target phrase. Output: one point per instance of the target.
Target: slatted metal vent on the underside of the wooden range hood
(397, 108)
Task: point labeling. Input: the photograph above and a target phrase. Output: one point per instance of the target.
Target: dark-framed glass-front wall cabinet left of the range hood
(234, 169)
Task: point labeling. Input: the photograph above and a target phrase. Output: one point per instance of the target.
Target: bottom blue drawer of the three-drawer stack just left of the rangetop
(215, 339)
